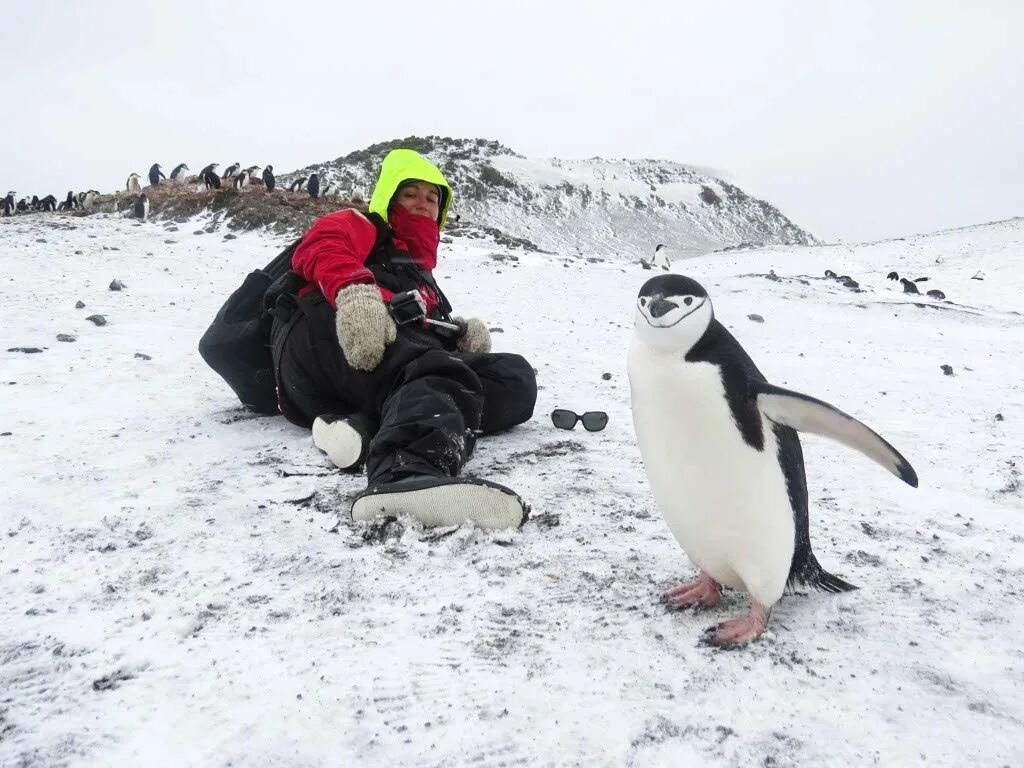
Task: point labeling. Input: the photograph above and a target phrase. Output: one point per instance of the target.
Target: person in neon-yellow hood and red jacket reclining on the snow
(409, 401)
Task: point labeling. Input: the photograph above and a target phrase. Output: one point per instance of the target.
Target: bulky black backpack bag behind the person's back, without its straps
(238, 344)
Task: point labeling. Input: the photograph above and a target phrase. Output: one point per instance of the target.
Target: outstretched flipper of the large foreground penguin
(806, 414)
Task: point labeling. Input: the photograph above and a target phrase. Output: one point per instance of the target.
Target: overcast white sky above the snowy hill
(860, 120)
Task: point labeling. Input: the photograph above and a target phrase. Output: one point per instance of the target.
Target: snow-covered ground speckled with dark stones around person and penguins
(181, 585)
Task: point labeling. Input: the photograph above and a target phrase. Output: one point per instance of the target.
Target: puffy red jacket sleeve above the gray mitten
(333, 252)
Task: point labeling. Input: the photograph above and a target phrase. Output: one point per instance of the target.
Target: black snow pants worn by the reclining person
(428, 404)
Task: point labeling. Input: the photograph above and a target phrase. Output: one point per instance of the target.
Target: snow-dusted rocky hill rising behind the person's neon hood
(604, 207)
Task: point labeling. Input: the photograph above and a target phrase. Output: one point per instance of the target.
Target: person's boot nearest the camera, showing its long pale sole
(445, 501)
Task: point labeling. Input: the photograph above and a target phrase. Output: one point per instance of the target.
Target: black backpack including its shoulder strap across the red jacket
(237, 345)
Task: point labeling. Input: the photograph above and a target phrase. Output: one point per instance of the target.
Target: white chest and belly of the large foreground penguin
(726, 502)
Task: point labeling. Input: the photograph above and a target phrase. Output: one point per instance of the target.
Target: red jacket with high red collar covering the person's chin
(334, 252)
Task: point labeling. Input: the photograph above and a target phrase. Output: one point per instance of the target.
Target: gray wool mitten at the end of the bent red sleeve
(365, 326)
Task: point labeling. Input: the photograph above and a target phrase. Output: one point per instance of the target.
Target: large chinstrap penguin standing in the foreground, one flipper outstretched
(723, 457)
